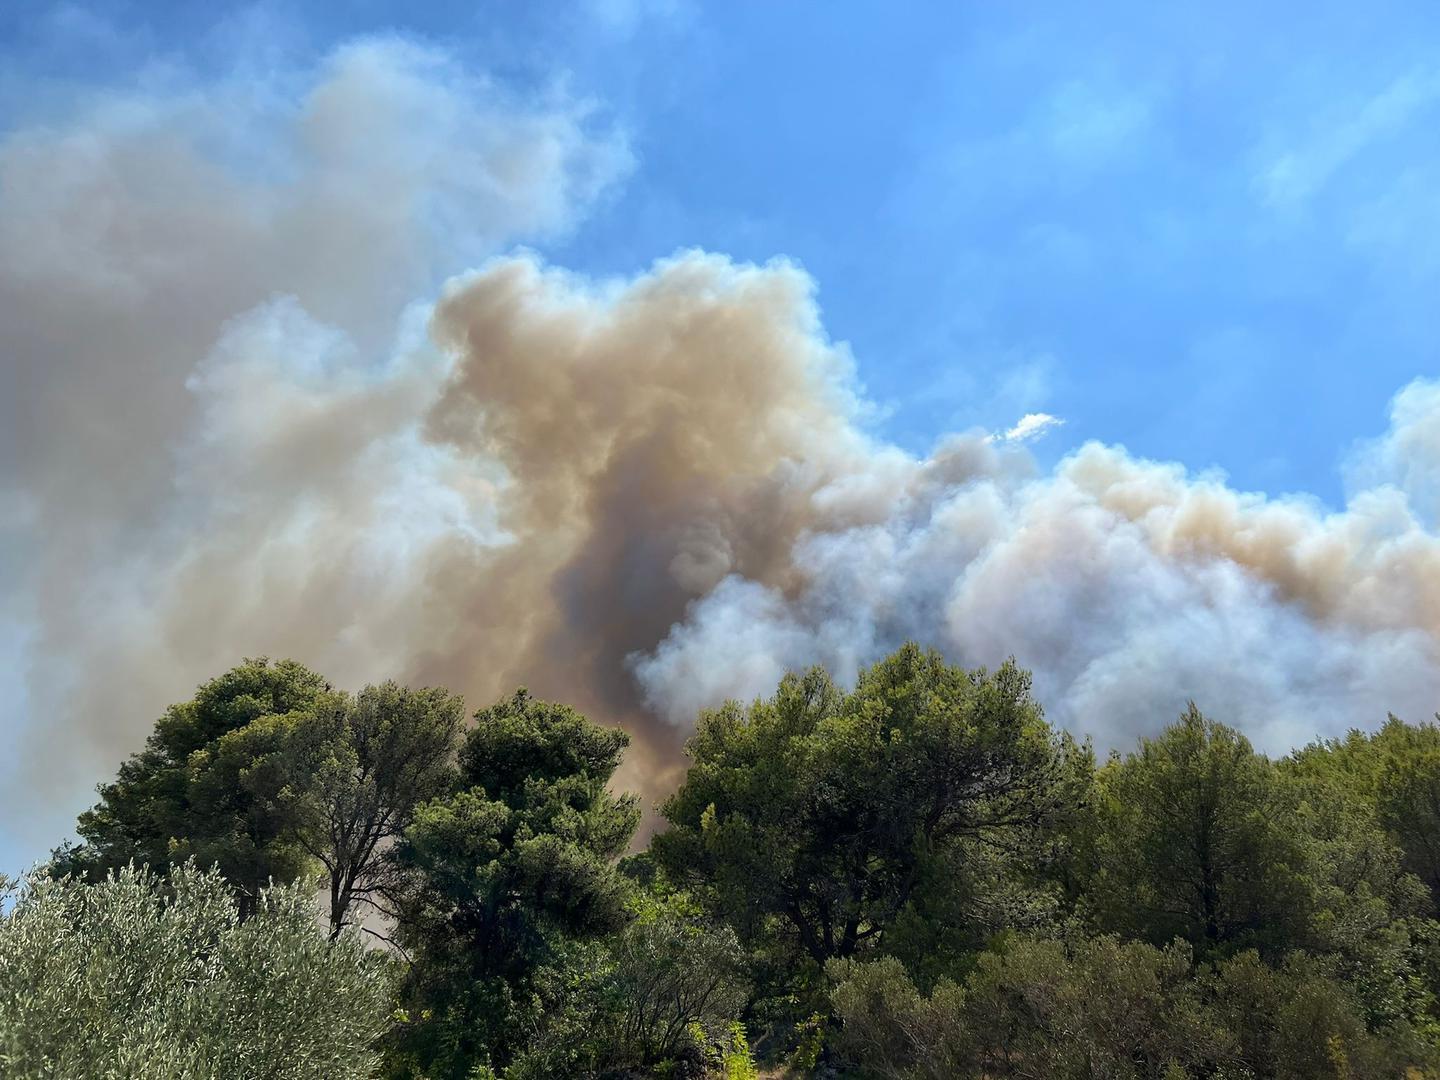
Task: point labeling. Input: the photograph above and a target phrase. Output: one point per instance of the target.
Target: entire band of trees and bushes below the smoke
(912, 878)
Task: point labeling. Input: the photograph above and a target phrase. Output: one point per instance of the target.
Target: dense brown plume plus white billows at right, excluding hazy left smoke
(695, 509)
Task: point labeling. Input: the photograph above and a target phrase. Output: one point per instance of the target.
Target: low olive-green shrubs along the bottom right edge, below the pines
(1124, 1010)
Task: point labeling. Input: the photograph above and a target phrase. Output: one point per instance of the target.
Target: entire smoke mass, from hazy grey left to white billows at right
(240, 424)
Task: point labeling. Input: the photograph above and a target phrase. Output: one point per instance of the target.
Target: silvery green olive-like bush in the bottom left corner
(155, 977)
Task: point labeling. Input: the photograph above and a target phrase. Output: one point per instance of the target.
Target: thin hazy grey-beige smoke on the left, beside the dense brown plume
(212, 378)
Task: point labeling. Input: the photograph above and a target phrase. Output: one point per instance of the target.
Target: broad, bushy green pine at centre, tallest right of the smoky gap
(824, 817)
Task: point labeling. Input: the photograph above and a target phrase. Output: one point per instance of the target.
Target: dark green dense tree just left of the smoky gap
(509, 885)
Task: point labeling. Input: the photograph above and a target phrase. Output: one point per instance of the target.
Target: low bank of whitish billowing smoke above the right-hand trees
(1127, 587)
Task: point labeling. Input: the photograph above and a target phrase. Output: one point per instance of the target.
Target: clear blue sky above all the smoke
(1209, 234)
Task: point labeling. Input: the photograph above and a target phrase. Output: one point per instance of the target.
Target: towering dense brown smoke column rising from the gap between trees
(656, 441)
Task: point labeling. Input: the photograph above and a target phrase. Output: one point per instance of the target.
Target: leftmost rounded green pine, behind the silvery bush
(195, 790)
